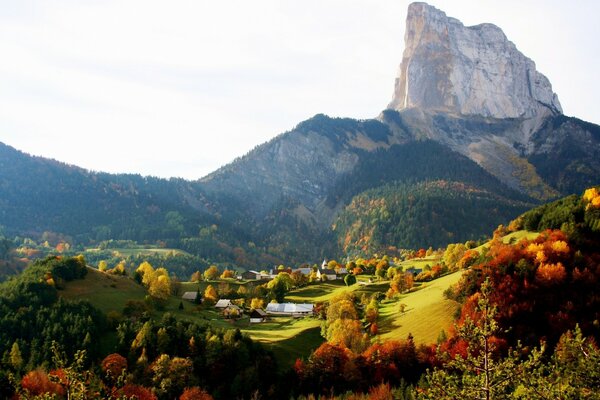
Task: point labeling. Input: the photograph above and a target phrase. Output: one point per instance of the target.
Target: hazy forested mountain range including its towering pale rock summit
(472, 125)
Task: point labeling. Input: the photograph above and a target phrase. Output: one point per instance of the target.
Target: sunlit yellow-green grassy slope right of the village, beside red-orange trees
(427, 312)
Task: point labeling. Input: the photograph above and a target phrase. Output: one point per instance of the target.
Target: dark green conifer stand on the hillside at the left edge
(32, 315)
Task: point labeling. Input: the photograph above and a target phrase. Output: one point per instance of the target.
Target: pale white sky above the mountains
(180, 88)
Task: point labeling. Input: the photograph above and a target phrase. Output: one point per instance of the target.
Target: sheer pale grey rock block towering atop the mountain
(448, 67)
